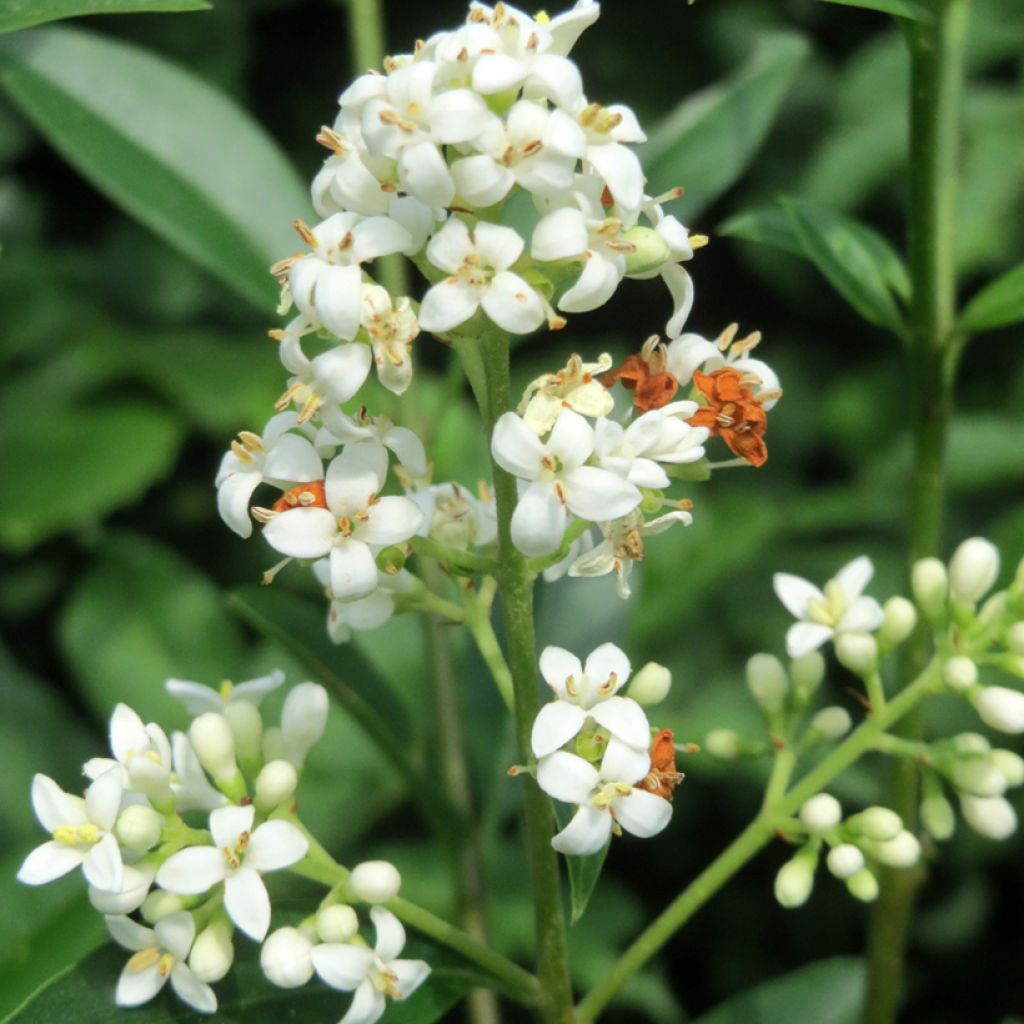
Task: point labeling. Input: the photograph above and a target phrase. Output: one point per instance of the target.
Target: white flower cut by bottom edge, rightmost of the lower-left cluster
(375, 973)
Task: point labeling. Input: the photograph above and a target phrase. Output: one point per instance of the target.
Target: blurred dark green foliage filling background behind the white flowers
(134, 349)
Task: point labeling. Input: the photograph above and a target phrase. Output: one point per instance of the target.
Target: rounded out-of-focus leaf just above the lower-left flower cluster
(140, 618)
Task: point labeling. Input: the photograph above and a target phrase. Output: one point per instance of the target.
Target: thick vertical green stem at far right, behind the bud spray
(936, 78)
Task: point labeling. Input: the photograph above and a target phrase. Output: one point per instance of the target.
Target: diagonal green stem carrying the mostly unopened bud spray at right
(750, 842)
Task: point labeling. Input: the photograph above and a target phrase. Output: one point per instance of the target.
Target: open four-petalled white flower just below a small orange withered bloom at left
(355, 520)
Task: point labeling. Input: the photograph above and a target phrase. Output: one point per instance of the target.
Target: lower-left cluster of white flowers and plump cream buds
(139, 835)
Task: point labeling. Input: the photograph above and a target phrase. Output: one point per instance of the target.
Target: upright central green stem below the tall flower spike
(517, 585)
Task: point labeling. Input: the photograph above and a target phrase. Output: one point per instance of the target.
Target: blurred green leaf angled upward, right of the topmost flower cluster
(708, 142)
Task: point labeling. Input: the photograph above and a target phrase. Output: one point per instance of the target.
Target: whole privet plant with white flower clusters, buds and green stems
(480, 159)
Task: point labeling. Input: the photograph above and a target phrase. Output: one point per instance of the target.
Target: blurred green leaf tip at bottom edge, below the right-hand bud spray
(829, 992)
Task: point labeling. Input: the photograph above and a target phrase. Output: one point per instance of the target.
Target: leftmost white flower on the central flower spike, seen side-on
(278, 457)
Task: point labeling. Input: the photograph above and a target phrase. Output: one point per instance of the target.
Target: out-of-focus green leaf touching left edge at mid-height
(74, 466)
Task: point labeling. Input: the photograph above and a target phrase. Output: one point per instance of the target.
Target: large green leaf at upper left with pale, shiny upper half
(173, 151)
